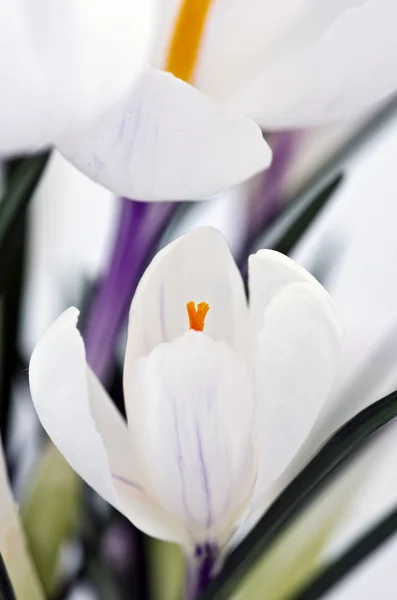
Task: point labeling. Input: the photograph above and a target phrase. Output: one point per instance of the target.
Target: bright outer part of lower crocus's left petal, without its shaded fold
(58, 383)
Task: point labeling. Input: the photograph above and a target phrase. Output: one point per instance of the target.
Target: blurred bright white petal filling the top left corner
(63, 62)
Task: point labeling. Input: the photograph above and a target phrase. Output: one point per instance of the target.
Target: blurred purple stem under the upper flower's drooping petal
(140, 227)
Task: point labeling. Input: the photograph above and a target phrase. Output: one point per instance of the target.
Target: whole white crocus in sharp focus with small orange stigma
(219, 396)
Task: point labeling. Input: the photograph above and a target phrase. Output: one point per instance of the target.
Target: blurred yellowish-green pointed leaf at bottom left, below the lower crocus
(50, 513)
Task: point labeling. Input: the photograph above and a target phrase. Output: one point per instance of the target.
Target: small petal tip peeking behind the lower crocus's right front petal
(269, 273)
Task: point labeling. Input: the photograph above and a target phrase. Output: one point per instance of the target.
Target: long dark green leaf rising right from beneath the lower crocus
(334, 455)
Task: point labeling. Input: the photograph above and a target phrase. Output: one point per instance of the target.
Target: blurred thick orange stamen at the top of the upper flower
(185, 43)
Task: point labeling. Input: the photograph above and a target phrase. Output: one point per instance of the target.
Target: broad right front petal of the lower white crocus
(298, 351)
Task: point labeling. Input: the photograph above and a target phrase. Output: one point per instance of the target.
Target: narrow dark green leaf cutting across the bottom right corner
(331, 574)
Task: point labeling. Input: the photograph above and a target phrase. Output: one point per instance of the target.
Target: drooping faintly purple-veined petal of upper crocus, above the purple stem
(167, 141)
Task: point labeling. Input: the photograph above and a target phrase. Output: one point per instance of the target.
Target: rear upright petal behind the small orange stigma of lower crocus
(195, 267)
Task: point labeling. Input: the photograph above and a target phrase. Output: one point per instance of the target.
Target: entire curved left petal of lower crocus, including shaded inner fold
(82, 422)
